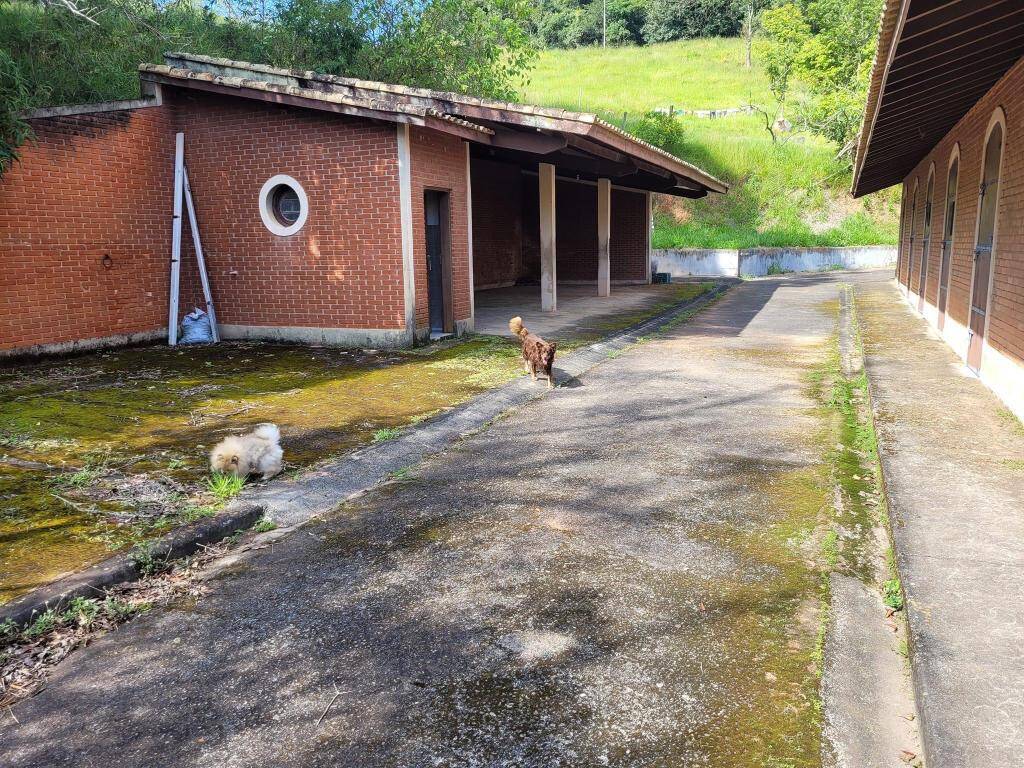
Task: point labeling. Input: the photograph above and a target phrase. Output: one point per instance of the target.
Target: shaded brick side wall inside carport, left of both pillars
(497, 224)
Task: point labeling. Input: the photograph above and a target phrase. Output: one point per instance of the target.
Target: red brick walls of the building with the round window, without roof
(86, 226)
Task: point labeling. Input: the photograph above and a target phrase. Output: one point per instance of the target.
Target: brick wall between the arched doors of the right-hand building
(1007, 301)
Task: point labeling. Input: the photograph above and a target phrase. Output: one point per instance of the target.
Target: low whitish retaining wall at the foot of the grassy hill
(757, 263)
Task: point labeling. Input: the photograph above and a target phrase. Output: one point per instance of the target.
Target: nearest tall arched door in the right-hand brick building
(984, 248)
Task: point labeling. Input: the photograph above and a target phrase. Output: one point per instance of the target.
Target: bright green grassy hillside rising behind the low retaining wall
(792, 194)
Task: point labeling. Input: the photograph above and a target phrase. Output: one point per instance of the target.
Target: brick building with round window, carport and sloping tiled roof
(330, 210)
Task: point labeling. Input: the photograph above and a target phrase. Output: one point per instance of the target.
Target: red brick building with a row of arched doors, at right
(946, 117)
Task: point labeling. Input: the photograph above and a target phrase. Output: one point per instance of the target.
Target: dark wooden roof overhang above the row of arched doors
(935, 60)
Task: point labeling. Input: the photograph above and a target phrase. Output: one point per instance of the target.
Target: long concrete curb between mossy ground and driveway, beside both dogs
(293, 502)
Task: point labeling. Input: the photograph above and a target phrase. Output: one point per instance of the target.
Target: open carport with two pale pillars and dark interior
(565, 199)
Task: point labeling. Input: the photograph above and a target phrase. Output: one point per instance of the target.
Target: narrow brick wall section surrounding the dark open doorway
(439, 162)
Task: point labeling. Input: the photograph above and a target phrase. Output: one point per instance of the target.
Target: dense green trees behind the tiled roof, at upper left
(52, 56)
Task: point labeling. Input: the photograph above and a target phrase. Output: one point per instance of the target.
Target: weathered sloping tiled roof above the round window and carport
(576, 143)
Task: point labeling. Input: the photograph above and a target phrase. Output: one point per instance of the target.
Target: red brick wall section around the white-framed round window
(344, 269)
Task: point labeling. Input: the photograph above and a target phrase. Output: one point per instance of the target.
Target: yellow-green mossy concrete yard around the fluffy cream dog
(157, 411)
